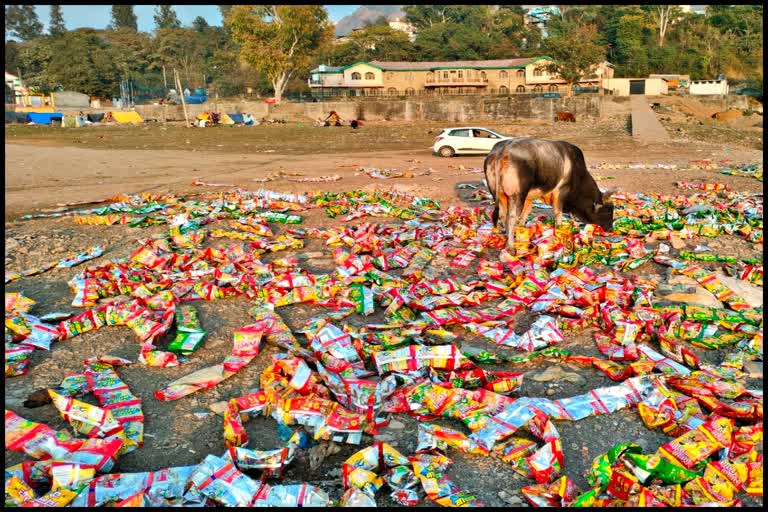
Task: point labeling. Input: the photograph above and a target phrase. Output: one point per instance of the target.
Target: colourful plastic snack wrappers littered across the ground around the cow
(337, 382)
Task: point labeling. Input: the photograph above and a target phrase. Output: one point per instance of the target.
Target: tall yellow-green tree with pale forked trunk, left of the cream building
(280, 40)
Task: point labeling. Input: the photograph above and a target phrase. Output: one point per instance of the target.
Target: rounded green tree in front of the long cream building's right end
(575, 49)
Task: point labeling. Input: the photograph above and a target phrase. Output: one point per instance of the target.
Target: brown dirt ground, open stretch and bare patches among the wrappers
(45, 169)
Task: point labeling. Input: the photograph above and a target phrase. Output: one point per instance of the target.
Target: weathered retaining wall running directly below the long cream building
(458, 109)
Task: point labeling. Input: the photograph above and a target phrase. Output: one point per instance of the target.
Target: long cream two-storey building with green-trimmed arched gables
(502, 76)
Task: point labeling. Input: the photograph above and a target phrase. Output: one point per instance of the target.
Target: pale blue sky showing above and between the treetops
(98, 16)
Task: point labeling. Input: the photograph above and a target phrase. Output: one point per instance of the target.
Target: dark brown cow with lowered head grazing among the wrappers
(520, 170)
